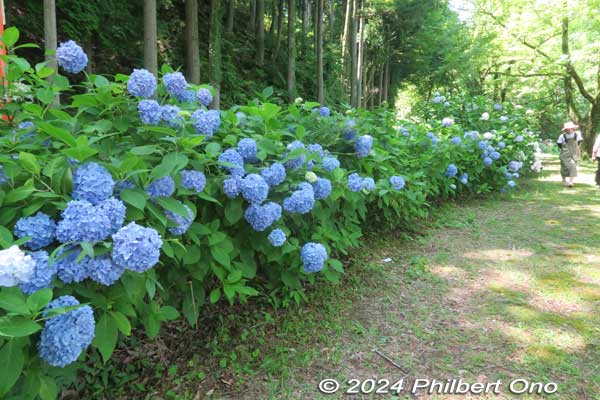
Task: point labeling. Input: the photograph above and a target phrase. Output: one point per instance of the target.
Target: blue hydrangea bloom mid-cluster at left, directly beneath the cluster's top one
(82, 221)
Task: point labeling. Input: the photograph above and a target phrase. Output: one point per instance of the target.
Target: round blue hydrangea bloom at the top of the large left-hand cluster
(92, 183)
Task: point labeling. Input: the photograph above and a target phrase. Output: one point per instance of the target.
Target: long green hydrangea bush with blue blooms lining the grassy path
(132, 204)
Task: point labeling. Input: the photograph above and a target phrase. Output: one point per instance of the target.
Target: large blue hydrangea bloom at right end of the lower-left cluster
(136, 248)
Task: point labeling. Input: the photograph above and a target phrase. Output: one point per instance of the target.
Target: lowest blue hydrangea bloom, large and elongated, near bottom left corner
(66, 336)
